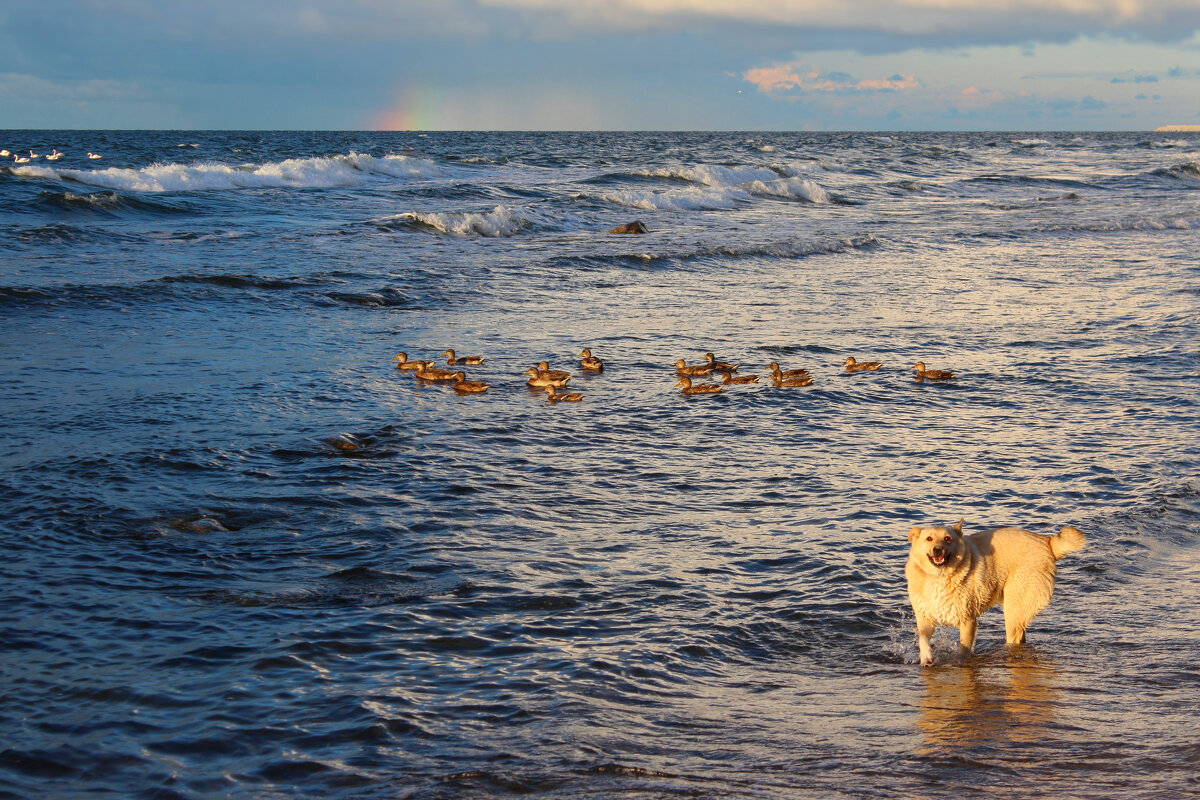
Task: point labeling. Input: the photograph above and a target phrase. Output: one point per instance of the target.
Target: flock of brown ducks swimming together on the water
(543, 378)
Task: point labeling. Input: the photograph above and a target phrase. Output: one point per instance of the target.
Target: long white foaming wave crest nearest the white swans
(352, 170)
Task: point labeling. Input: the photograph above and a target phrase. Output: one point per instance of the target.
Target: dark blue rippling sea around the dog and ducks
(639, 596)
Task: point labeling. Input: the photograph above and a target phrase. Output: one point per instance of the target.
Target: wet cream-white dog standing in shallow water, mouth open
(956, 579)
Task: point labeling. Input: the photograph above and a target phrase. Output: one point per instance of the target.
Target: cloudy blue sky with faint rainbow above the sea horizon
(775, 65)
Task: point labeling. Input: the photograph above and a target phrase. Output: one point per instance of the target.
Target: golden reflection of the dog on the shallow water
(1001, 697)
